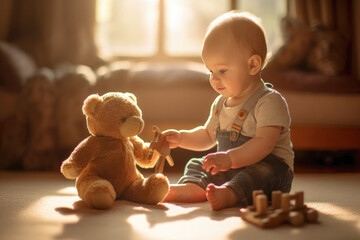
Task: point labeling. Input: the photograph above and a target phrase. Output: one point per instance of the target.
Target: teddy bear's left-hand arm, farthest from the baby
(78, 159)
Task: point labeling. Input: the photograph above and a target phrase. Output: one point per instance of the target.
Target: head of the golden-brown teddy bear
(114, 114)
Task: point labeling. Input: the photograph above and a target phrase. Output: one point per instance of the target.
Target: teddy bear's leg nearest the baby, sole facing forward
(151, 190)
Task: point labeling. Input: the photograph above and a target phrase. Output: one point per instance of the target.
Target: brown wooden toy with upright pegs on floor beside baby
(282, 210)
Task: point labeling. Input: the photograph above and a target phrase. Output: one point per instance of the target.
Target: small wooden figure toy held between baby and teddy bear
(159, 149)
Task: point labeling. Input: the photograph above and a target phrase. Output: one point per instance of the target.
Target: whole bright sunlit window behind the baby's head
(172, 29)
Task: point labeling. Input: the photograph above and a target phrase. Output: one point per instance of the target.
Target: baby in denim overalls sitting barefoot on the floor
(248, 121)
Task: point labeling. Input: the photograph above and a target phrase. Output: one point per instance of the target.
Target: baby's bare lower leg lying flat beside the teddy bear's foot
(188, 192)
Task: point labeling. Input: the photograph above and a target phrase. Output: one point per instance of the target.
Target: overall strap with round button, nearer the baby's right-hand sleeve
(245, 110)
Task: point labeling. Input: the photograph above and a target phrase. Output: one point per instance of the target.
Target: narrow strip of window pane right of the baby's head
(270, 12)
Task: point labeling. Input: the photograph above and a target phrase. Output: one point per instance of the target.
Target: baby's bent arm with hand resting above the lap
(249, 153)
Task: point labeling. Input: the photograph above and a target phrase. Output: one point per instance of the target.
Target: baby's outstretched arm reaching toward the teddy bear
(196, 139)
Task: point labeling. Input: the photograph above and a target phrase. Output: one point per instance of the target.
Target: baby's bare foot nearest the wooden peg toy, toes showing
(220, 197)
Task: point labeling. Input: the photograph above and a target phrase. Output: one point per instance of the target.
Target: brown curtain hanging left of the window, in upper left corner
(54, 31)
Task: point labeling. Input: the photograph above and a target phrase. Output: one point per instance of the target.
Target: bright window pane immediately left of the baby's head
(186, 22)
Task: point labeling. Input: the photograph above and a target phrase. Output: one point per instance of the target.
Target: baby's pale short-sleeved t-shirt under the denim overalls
(270, 110)
